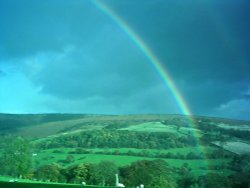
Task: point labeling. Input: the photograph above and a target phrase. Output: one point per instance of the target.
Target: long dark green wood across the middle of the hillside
(119, 139)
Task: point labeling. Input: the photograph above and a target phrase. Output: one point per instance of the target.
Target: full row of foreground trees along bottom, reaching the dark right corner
(152, 174)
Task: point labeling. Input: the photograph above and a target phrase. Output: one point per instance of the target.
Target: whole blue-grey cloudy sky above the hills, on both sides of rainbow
(68, 56)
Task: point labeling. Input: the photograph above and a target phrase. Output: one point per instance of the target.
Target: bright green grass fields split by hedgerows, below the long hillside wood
(198, 166)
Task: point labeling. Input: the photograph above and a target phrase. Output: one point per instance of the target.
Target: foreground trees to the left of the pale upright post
(93, 174)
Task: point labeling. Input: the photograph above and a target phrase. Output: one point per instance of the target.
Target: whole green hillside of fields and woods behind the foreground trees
(66, 141)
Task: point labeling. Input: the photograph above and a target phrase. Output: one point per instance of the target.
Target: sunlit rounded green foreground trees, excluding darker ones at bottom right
(155, 173)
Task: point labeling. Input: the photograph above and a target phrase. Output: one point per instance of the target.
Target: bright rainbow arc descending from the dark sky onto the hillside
(155, 62)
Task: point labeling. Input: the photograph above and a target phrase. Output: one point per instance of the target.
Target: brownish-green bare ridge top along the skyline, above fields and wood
(54, 123)
